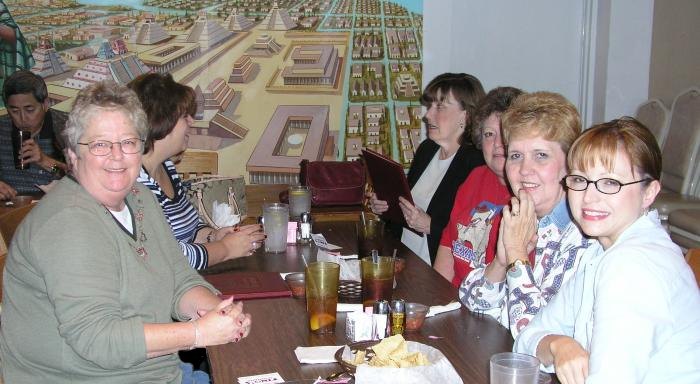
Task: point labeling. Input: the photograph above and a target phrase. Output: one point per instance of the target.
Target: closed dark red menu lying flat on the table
(249, 285)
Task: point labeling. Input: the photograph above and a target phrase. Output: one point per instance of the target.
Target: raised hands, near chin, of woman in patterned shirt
(518, 231)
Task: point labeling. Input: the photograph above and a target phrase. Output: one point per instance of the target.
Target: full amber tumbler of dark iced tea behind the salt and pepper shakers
(377, 279)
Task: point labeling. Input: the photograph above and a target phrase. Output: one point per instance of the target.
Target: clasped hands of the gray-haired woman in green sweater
(225, 324)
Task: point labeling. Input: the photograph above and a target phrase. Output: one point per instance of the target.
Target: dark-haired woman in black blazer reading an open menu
(441, 163)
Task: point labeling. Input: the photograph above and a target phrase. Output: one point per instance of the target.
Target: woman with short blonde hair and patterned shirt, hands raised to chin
(539, 246)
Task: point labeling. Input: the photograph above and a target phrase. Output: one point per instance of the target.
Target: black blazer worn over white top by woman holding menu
(440, 207)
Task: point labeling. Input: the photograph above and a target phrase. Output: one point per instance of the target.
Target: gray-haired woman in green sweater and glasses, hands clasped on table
(94, 276)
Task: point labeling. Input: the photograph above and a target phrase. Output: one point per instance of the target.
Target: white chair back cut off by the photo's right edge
(680, 150)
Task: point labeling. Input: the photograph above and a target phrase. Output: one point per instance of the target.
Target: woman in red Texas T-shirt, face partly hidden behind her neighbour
(469, 239)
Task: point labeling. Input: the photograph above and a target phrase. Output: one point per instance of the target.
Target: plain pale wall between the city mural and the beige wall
(594, 52)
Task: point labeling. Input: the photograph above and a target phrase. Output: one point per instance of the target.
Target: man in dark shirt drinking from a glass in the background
(26, 98)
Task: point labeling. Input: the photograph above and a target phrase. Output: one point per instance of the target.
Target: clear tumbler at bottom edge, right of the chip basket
(514, 368)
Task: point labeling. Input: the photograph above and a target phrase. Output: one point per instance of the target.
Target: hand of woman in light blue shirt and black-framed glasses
(570, 359)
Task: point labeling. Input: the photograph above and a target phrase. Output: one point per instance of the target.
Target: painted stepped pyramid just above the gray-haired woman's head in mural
(113, 62)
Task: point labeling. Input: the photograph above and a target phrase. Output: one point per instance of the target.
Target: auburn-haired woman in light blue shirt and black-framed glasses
(631, 313)
